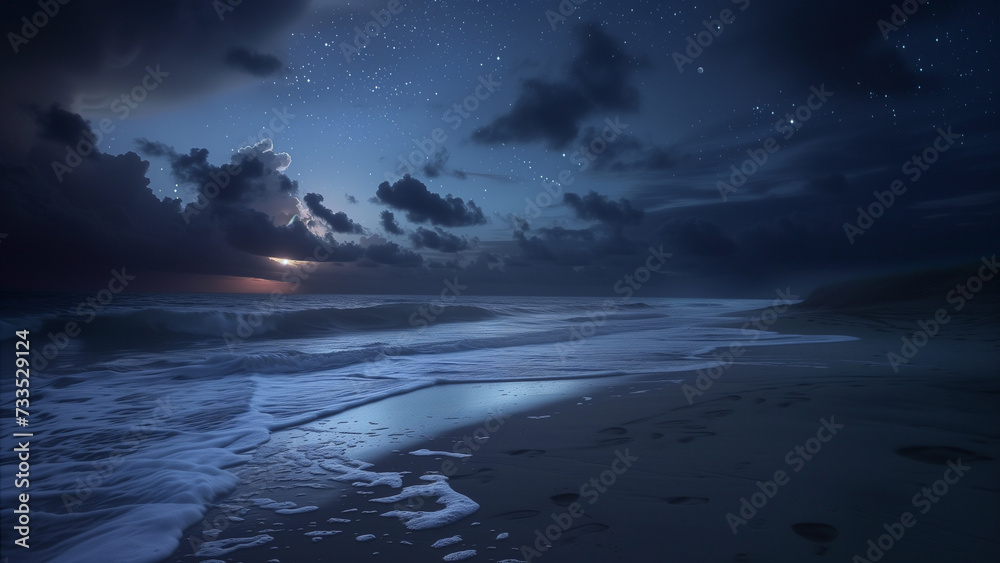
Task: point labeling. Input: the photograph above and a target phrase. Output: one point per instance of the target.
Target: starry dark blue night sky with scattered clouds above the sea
(521, 147)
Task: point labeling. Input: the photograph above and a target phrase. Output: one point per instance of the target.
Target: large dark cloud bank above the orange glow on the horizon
(101, 214)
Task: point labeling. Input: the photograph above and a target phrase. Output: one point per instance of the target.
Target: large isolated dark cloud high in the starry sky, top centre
(597, 81)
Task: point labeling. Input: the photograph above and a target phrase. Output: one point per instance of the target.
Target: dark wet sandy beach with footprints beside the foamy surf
(796, 453)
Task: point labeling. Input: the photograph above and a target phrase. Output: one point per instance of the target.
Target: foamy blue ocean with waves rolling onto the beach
(143, 408)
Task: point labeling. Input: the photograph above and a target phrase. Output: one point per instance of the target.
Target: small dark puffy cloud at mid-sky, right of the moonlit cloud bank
(423, 206)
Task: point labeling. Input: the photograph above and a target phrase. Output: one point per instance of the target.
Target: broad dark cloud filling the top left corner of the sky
(91, 53)
